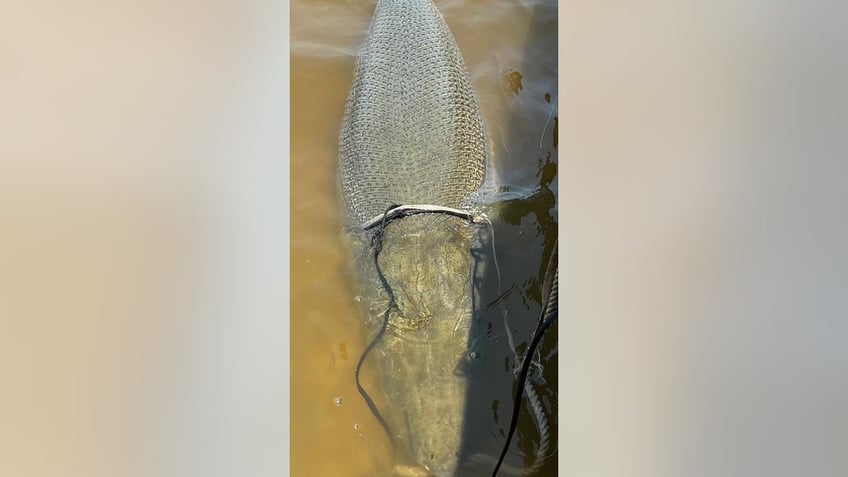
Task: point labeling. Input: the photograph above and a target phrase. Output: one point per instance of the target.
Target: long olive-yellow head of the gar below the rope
(426, 339)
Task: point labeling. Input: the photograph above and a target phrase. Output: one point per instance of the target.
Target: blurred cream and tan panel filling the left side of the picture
(143, 238)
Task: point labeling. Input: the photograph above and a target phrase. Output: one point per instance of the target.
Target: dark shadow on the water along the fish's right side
(509, 291)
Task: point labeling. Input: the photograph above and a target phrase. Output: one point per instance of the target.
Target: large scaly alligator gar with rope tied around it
(412, 133)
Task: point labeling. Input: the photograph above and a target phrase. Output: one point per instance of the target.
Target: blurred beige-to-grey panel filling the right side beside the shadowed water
(703, 186)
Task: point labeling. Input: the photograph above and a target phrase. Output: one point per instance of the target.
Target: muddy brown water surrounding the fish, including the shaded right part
(510, 50)
